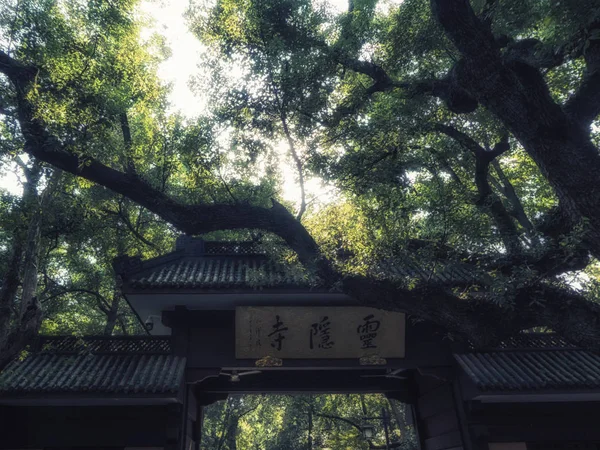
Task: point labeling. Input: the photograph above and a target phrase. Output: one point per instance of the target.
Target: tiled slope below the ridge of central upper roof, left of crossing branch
(209, 272)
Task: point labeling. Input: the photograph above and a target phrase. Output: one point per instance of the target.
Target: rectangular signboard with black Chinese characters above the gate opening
(318, 332)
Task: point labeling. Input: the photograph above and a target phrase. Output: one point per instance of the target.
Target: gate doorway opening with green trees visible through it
(308, 422)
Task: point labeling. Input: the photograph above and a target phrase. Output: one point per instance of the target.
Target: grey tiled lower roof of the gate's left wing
(47, 373)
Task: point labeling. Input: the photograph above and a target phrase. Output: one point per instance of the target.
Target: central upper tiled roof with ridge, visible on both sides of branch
(199, 264)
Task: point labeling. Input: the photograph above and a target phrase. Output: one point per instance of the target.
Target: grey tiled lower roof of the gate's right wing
(532, 370)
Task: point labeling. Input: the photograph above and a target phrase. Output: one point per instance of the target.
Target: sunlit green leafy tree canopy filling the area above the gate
(281, 78)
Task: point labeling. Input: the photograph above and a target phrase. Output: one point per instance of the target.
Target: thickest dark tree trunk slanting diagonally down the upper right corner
(518, 95)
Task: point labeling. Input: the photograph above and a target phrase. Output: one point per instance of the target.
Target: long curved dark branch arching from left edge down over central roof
(191, 219)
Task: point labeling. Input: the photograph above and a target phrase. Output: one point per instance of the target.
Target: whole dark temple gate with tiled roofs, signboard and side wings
(221, 319)
